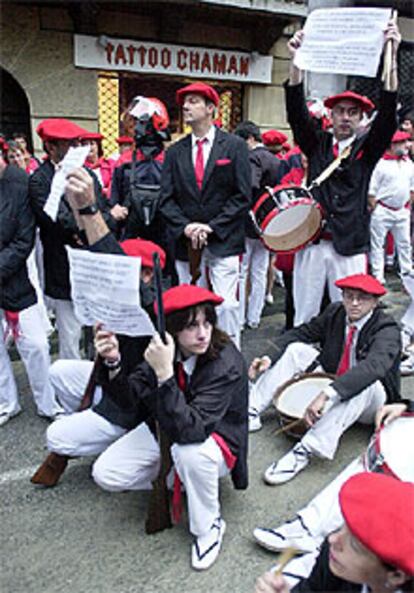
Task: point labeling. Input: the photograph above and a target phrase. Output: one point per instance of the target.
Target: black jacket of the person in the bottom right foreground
(322, 579)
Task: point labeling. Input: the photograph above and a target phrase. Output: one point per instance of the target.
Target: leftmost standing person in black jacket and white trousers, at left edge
(18, 301)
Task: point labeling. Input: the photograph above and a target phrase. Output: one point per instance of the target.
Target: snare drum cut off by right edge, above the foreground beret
(390, 450)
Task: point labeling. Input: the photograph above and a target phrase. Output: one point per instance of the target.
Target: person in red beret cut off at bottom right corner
(372, 551)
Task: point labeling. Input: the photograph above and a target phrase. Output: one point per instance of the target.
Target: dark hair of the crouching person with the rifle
(179, 320)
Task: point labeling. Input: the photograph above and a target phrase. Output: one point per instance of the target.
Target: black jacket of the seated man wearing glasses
(377, 350)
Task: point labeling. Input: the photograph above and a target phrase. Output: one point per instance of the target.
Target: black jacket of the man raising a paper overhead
(343, 196)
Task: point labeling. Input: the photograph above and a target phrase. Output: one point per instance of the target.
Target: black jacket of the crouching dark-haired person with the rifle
(215, 401)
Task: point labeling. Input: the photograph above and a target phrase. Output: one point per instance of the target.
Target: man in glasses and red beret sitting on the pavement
(360, 344)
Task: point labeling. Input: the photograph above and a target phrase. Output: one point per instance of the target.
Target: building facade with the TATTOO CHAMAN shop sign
(85, 61)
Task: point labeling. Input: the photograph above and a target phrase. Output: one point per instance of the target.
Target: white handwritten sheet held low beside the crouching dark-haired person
(105, 288)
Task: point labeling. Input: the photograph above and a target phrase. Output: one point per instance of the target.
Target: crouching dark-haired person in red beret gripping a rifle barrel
(195, 386)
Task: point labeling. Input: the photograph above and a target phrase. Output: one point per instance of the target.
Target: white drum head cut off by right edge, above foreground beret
(397, 447)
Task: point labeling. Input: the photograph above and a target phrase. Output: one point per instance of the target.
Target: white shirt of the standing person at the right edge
(392, 181)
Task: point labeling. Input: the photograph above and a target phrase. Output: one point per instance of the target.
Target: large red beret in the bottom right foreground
(379, 511)
